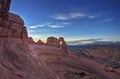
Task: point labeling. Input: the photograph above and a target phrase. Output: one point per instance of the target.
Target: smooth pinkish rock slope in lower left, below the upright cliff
(16, 61)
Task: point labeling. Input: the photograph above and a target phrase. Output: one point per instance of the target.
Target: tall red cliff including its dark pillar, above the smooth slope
(11, 25)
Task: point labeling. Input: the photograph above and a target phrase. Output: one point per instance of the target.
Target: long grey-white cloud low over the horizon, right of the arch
(84, 41)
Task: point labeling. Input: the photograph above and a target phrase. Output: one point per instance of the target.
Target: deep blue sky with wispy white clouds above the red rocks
(75, 20)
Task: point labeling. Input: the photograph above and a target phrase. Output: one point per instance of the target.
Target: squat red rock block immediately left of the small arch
(52, 41)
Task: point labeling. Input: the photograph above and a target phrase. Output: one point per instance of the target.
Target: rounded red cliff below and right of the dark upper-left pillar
(14, 27)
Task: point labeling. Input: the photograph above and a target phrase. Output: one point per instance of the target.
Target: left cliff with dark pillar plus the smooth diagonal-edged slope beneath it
(16, 61)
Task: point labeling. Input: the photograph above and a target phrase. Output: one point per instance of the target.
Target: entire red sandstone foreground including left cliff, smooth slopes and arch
(22, 58)
